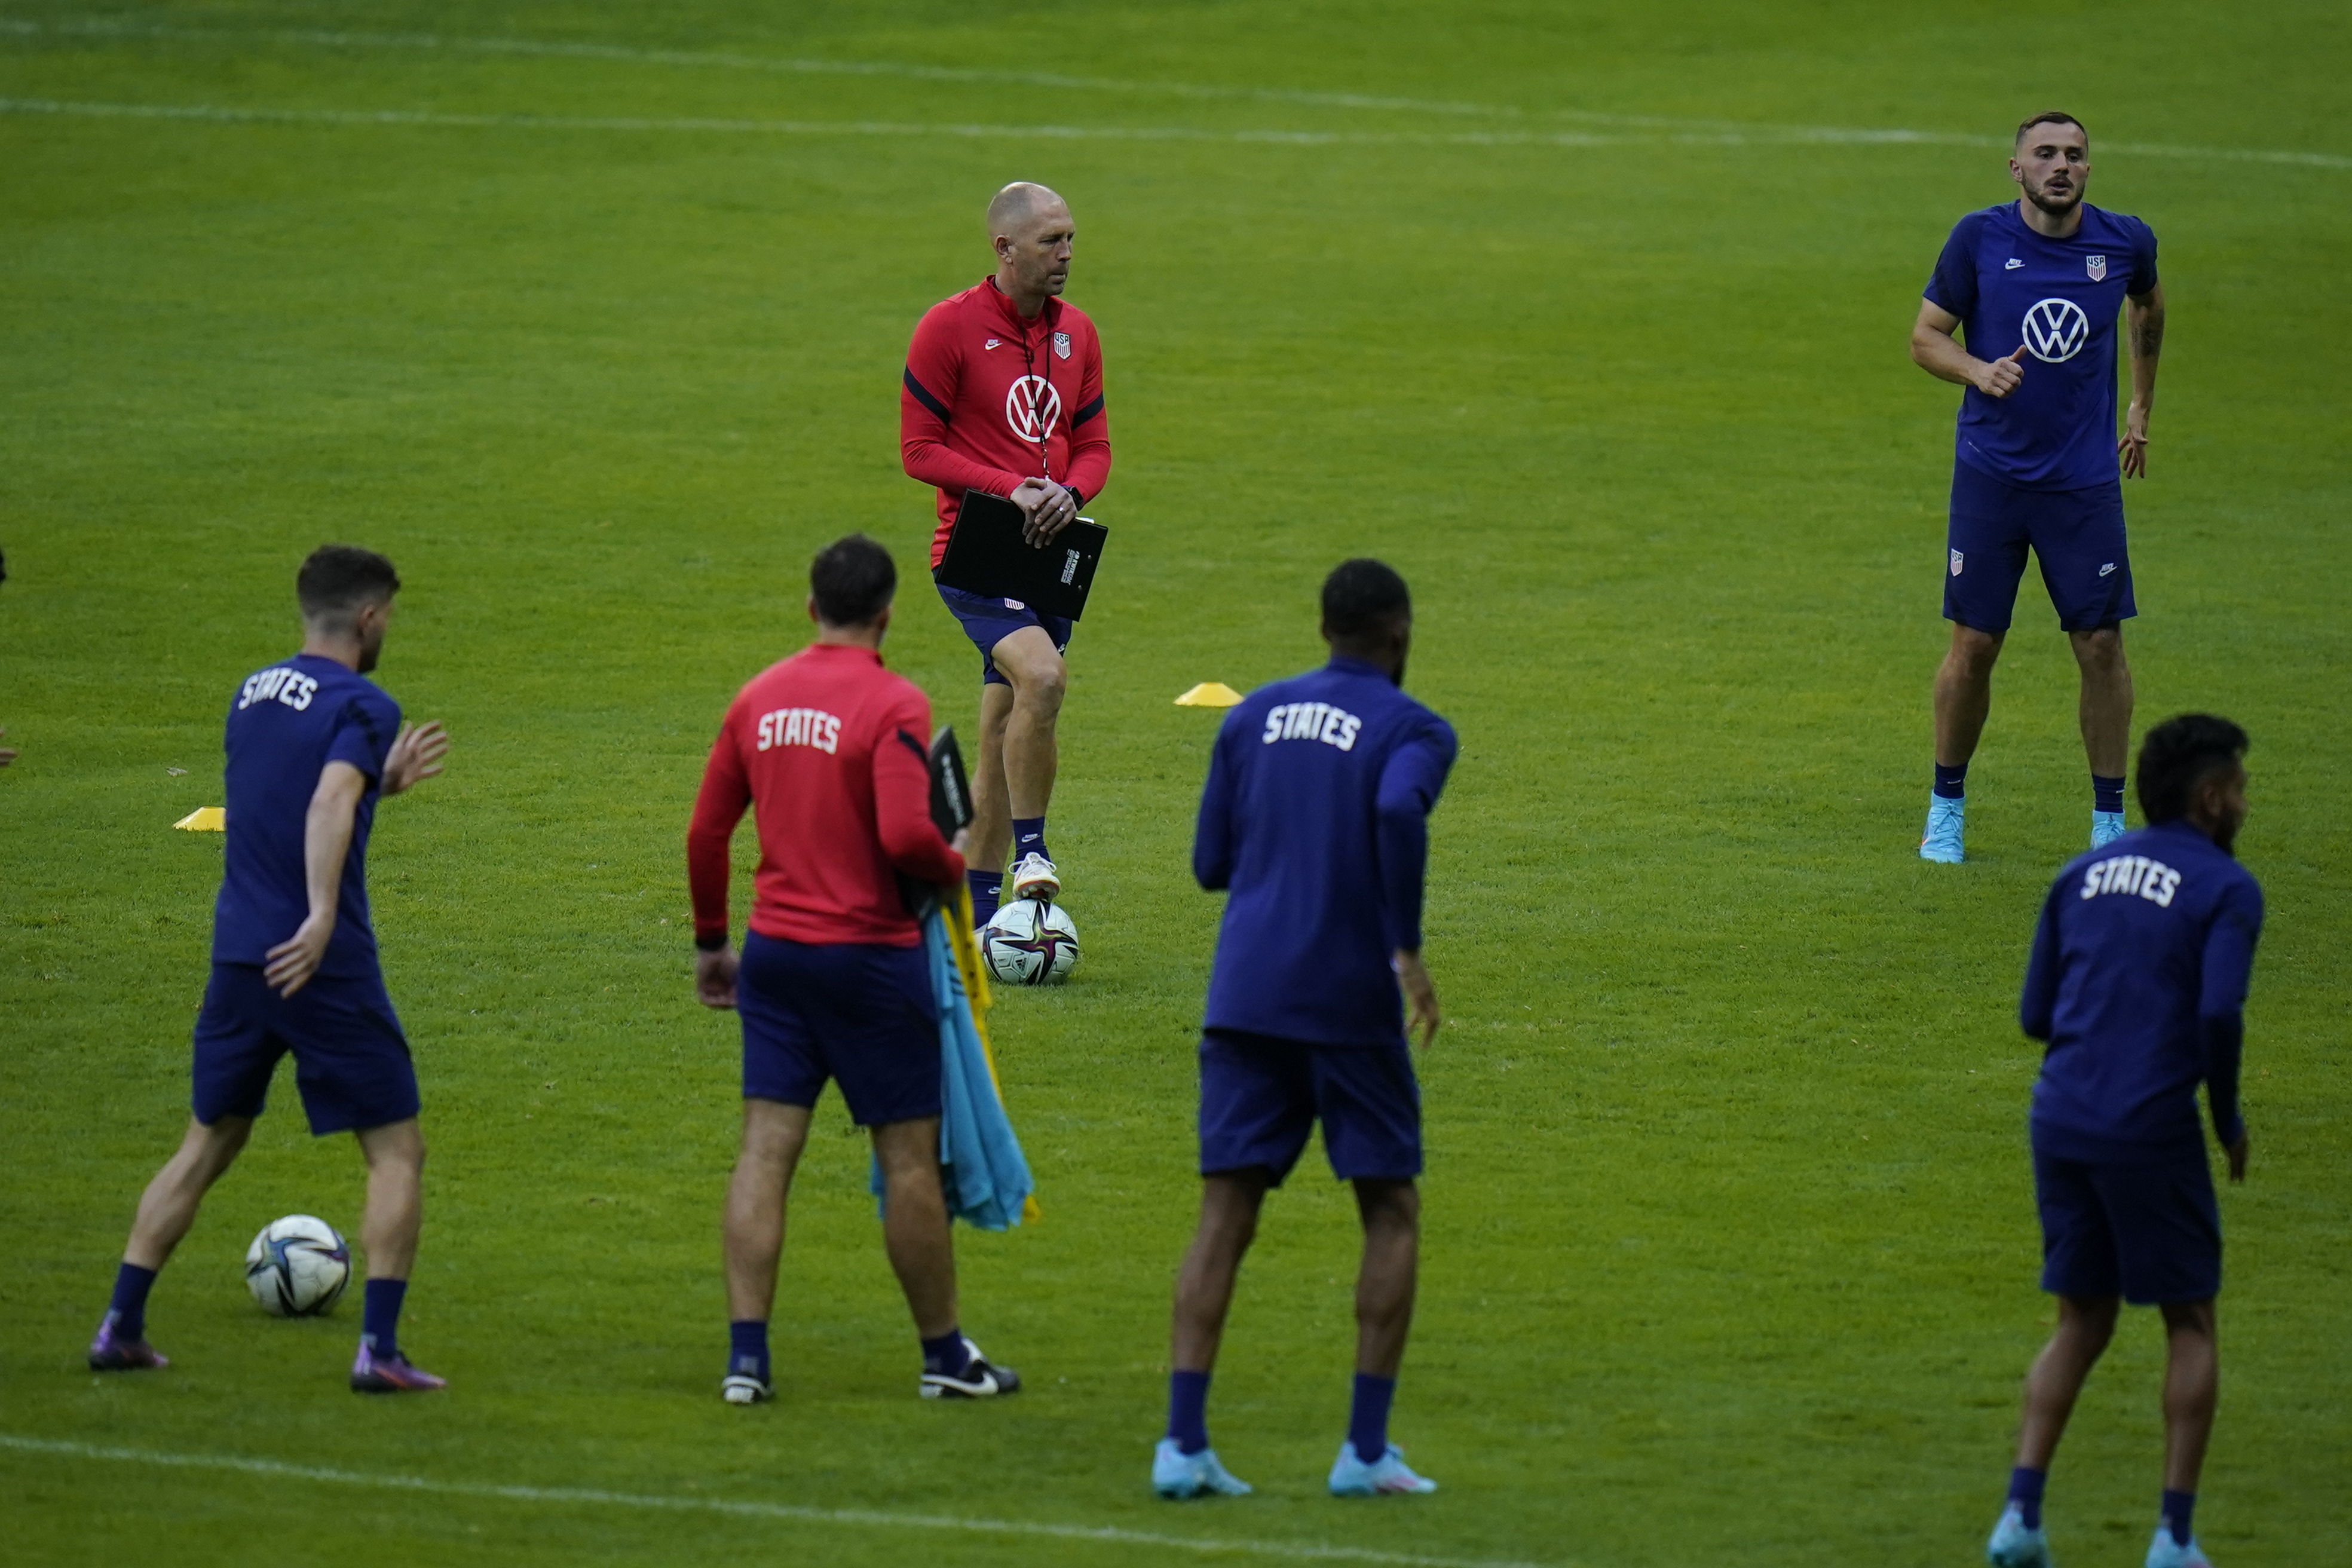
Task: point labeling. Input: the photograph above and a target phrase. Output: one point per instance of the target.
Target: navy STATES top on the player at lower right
(2137, 984)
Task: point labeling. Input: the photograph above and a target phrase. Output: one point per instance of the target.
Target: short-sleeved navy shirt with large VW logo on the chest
(2057, 300)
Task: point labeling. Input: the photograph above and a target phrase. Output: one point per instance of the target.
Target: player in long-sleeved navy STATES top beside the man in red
(1316, 824)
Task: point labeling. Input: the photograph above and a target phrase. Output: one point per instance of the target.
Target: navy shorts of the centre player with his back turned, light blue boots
(1262, 1097)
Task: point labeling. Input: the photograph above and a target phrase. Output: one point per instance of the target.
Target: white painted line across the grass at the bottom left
(871, 1520)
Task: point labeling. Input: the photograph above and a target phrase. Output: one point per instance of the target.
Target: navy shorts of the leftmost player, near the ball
(352, 1061)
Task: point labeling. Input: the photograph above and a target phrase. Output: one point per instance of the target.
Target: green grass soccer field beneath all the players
(1589, 319)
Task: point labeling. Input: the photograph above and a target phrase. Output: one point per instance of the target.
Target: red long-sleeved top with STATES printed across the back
(829, 751)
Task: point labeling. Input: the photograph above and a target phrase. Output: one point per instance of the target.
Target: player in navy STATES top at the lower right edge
(2139, 984)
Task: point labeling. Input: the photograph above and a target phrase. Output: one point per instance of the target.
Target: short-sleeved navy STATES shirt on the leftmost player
(286, 725)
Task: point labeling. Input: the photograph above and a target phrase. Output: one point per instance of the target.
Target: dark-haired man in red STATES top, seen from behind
(829, 751)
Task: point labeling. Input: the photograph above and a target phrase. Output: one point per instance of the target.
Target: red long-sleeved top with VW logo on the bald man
(991, 401)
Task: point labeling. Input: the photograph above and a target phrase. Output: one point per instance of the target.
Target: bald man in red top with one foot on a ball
(1003, 394)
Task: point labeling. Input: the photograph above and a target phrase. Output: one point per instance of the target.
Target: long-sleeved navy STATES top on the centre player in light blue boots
(1316, 819)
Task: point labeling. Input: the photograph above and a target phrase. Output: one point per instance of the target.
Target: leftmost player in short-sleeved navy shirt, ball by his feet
(312, 749)
